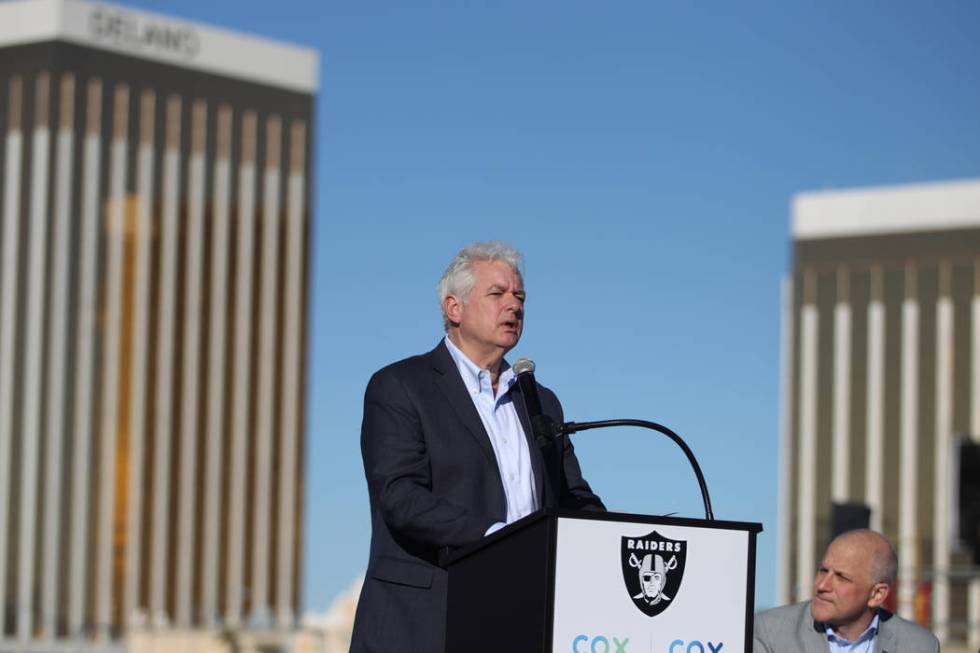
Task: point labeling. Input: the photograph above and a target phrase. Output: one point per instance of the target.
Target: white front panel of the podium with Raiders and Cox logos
(626, 587)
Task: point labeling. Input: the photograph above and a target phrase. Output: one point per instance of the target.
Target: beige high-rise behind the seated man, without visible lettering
(880, 382)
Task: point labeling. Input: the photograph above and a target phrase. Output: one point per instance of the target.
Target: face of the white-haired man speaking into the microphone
(492, 318)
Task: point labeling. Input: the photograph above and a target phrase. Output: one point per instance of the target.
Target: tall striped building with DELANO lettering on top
(154, 221)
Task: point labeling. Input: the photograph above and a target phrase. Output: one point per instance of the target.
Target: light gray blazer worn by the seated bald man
(791, 629)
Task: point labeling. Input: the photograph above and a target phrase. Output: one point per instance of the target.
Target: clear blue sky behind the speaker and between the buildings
(643, 155)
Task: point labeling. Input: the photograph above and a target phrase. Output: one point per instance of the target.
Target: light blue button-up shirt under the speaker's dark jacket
(499, 417)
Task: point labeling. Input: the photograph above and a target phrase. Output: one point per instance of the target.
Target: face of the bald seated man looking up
(842, 590)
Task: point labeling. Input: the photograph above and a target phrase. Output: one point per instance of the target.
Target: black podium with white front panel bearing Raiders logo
(602, 582)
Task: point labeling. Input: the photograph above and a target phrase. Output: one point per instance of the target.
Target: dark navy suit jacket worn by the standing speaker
(433, 482)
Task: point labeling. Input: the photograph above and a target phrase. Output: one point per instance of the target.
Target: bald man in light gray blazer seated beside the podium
(845, 614)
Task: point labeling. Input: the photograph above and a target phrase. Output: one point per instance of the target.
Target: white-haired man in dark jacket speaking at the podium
(449, 455)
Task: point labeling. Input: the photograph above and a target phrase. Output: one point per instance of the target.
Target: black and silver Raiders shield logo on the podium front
(653, 568)
